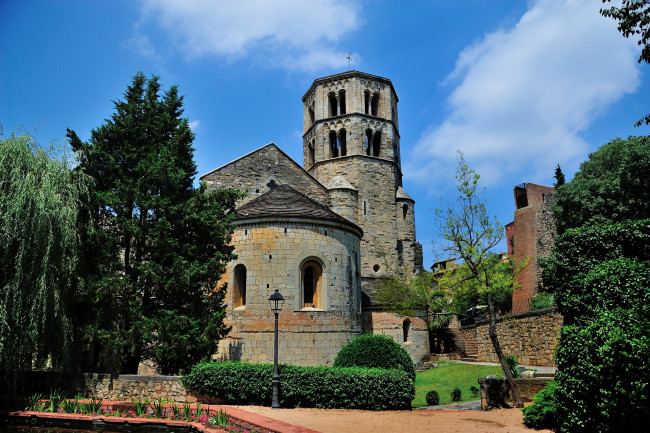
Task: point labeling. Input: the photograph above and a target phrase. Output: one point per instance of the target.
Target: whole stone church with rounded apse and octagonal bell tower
(322, 233)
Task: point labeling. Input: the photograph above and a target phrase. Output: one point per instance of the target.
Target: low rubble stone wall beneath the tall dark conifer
(127, 387)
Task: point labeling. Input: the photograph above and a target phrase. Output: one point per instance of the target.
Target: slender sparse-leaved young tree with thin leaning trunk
(471, 234)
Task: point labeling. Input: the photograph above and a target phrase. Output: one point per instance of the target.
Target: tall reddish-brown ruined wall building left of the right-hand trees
(529, 237)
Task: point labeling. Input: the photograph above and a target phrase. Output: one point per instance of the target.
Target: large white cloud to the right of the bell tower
(524, 95)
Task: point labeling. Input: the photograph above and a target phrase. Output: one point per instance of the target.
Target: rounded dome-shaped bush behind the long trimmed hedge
(375, 351)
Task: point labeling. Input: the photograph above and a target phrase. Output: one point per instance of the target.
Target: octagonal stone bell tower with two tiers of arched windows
(351, 144)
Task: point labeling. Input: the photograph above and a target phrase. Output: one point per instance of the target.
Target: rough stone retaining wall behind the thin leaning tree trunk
(530, 337)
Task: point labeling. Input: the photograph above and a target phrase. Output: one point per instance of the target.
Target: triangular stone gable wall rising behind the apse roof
(254, 172)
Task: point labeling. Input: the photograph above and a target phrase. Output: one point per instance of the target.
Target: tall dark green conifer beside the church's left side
(155, 245)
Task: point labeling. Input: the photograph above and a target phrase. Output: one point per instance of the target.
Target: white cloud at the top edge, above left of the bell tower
(288, 34)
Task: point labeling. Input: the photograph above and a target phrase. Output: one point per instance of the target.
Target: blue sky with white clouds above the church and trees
(518, 86)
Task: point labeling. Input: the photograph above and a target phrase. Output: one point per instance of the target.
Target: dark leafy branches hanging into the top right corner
(633, 18)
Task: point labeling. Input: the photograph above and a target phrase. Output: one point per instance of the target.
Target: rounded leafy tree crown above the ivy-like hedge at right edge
(611, 186)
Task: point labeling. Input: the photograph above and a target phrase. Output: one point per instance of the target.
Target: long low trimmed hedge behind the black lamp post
(320, 387)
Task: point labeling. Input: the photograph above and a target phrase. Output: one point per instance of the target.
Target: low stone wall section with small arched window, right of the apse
(417, 342)
